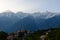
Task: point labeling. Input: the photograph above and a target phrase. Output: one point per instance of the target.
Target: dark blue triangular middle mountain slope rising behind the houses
(28, 23)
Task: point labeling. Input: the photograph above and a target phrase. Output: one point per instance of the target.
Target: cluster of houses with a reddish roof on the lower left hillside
(18, 35)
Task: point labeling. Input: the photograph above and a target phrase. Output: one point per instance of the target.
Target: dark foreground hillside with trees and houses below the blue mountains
(49, 34)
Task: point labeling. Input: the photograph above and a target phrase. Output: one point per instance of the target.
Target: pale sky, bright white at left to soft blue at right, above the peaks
(30, 5)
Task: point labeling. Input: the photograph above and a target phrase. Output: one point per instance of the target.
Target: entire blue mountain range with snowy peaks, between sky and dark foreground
(10, 21)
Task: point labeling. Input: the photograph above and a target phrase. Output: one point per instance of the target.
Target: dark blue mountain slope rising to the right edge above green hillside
(52, 22)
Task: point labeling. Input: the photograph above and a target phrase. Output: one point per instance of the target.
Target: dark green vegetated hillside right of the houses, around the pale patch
(54, 34)
